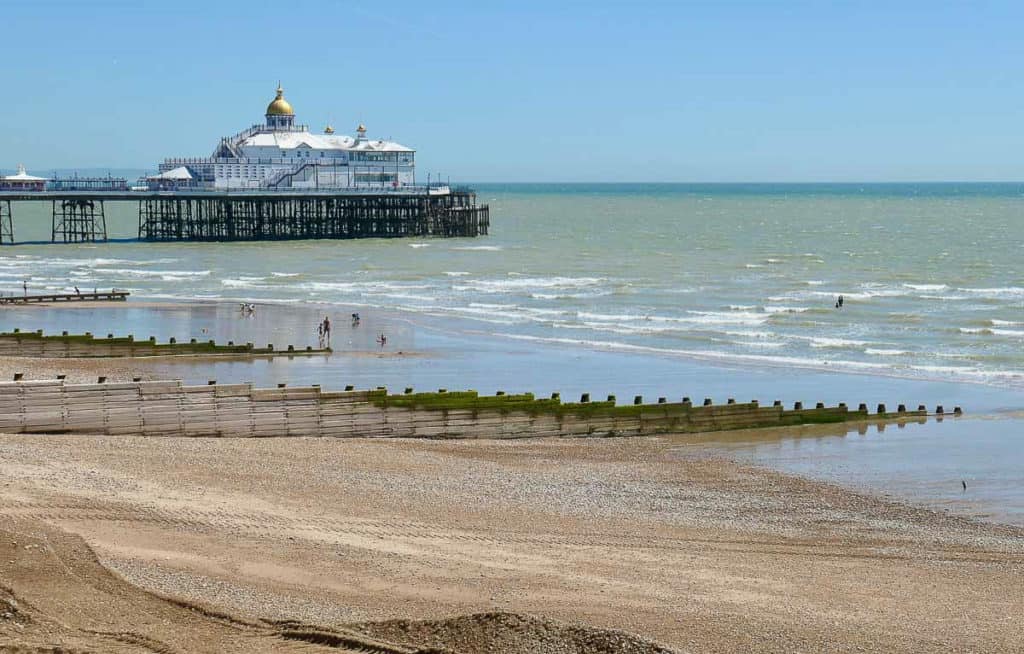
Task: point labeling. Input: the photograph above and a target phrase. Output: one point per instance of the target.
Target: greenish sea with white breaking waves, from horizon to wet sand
(931, 274)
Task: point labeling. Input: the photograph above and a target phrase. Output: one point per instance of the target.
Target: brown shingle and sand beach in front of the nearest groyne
(290, 539)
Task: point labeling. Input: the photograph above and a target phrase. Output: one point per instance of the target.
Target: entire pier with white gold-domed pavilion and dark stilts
(274, 182)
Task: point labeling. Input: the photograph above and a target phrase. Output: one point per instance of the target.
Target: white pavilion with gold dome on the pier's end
(281, 155)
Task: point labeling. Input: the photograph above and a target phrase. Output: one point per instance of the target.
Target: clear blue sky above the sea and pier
(533, 92)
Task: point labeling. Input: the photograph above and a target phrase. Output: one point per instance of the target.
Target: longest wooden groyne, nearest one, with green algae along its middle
(169, 409)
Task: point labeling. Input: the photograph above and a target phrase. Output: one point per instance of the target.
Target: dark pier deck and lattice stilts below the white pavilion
(204, 215)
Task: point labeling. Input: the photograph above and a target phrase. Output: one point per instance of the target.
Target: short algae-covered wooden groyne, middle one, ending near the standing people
(31, 344)
